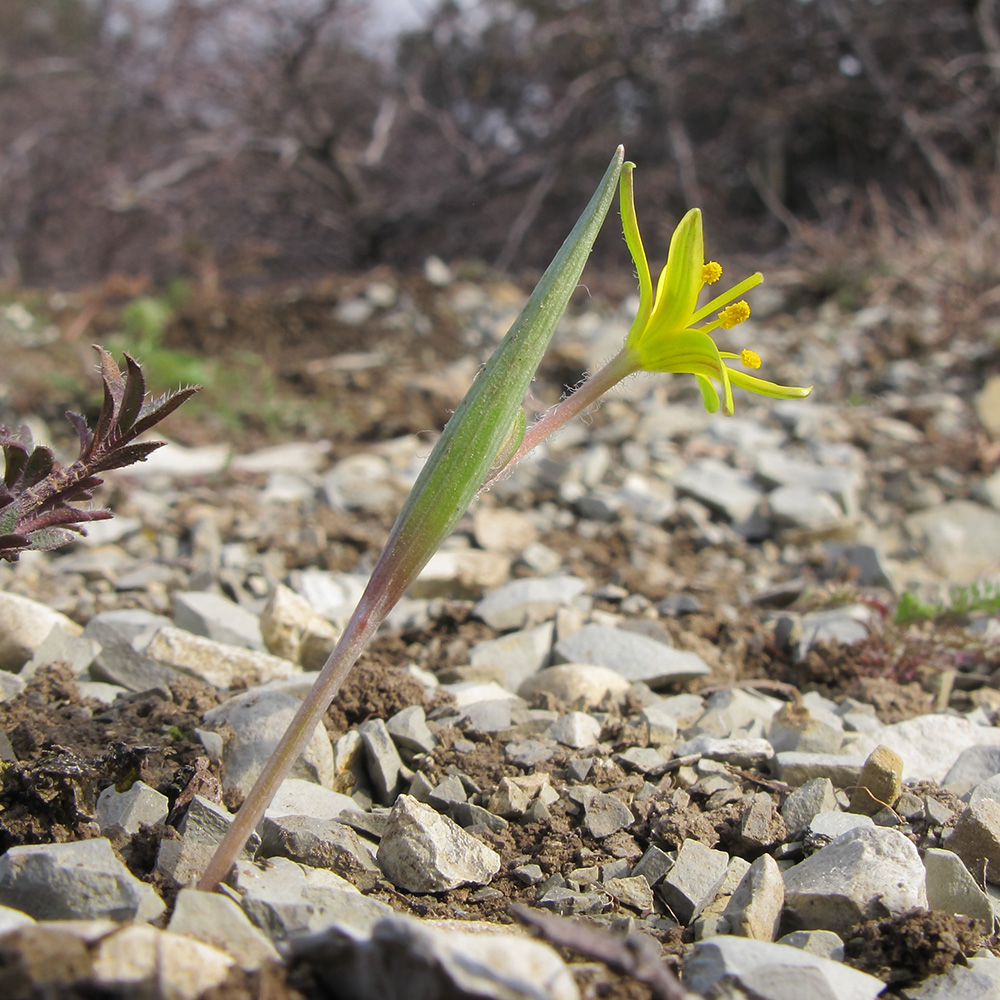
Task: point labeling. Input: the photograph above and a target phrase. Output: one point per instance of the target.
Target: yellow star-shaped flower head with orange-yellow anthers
(670, 332)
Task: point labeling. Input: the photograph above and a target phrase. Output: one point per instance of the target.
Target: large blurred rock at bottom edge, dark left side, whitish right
(402, 959)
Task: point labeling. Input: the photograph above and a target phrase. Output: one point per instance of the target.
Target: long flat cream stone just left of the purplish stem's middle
(219, 664)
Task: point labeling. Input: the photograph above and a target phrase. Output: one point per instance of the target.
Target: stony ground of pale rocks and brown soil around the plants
(702, 684)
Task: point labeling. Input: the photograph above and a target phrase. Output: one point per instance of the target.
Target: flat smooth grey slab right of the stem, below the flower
(635, 657)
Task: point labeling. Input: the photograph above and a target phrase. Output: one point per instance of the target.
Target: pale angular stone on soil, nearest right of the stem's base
(423, 851)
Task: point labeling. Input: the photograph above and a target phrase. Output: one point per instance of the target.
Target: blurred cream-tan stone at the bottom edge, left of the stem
(144, 962)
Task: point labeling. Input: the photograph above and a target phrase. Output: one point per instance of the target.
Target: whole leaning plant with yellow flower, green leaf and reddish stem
(487, 434)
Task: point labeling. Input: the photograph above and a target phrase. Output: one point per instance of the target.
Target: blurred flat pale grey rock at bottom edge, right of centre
(738, 967)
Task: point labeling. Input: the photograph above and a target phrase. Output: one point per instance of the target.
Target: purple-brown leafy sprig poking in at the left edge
(38, 495)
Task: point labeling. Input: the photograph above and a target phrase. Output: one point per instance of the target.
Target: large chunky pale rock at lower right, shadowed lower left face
(863, 874)
